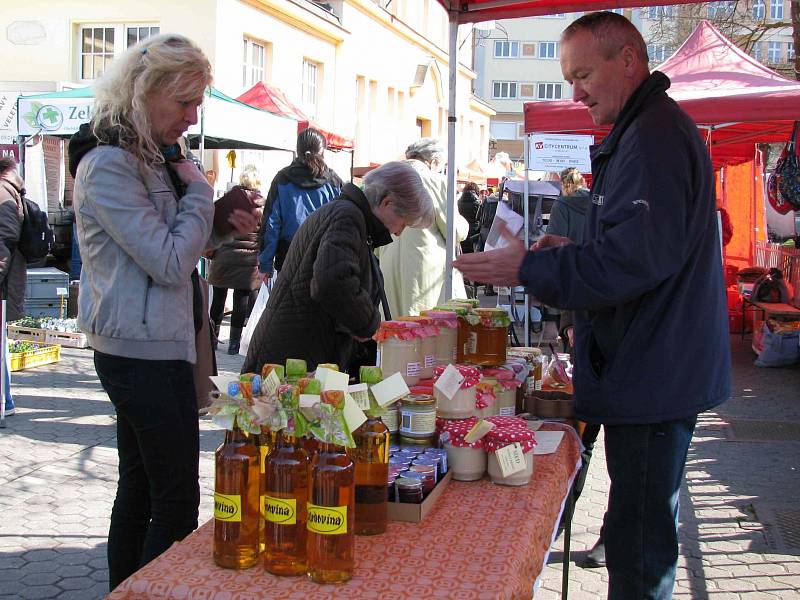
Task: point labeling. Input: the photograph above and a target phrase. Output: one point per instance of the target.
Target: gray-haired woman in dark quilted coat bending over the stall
(325, 303)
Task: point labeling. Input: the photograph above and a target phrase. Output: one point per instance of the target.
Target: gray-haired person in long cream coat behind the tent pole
(414, 266)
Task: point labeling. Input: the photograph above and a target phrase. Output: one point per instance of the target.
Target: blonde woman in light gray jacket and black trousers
(144, 215)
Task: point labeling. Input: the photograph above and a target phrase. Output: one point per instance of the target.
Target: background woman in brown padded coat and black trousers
(234, 266)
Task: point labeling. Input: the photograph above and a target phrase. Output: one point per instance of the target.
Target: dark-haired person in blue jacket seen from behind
(296, 191)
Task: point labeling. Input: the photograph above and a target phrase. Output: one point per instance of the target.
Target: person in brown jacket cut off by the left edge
(13, 265)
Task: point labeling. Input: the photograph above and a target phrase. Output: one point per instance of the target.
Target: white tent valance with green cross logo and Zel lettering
(53, 116)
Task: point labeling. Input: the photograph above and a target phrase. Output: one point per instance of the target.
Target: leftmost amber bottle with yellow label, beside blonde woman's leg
(236, 501)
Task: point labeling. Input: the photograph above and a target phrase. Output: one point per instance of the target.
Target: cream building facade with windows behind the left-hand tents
(371, 70)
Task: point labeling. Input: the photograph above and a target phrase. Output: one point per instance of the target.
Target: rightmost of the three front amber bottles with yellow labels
(331, 516)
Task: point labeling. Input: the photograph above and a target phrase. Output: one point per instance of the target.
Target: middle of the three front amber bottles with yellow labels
(285, 507)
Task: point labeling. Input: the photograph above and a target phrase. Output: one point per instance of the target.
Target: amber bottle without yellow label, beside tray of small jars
(371, 458)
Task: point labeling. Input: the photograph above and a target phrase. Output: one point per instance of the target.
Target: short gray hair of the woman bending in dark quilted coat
(410, 198)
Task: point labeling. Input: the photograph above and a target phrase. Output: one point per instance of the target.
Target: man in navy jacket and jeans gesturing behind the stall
(651, 334)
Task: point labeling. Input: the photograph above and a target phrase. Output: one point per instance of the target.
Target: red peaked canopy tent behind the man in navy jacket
(736, 100)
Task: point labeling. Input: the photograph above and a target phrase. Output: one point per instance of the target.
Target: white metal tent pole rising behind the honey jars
(450, 238)
